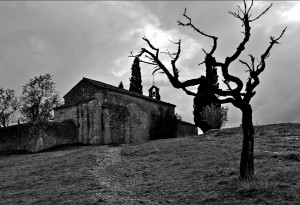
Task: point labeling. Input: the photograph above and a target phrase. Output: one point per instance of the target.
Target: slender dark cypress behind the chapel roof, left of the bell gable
(136, 79)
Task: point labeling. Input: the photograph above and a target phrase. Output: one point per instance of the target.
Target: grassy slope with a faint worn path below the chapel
(196, 170)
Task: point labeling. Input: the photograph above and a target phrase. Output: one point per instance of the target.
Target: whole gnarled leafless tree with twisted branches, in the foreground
(234, 95)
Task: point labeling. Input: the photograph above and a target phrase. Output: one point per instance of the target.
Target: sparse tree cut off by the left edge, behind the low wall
(9, 103)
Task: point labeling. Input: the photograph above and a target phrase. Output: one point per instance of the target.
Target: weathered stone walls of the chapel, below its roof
(113, 117)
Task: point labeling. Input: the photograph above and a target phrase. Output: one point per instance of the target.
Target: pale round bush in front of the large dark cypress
(215, 116)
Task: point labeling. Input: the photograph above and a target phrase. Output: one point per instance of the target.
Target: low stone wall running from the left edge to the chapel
(36, 137)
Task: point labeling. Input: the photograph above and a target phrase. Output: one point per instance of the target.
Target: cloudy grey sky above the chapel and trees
(93, 39)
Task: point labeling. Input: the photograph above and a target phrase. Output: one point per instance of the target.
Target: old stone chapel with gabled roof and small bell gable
(106, 114)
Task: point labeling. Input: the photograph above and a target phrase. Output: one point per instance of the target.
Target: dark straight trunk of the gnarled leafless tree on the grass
(247, 156)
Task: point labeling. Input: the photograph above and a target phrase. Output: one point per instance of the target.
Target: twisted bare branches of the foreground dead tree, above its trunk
(234, 95)
